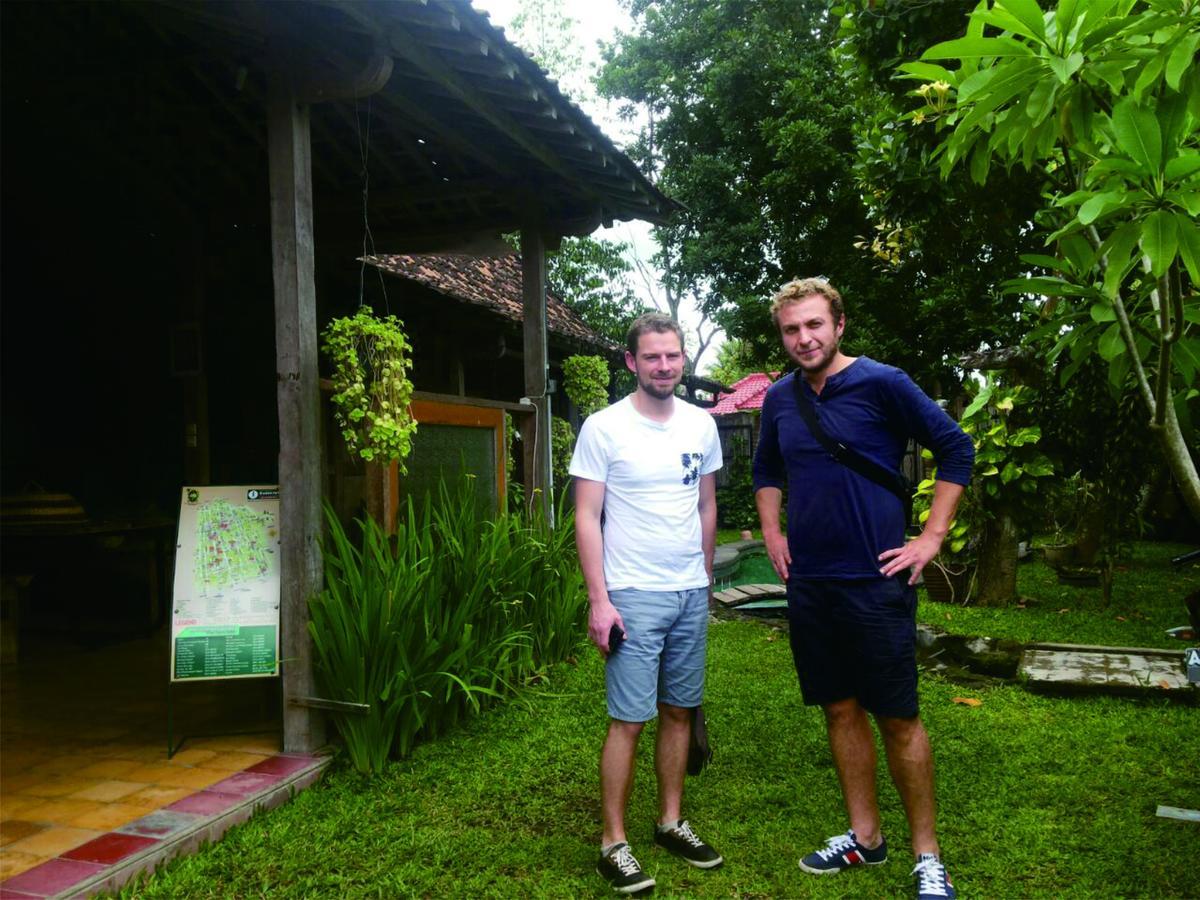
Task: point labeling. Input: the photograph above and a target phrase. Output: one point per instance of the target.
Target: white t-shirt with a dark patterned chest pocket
(651, 472)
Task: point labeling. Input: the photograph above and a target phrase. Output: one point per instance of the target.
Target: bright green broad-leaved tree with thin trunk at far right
(1102, 99)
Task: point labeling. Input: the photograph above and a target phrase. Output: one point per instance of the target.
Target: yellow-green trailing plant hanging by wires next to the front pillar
(371, 387)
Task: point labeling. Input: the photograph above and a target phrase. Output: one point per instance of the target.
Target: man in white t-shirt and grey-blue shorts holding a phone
(646, 529)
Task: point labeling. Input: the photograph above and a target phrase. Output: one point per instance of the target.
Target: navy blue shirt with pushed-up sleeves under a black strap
(838, 521)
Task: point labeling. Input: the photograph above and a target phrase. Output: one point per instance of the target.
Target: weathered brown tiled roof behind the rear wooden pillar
(490, 283)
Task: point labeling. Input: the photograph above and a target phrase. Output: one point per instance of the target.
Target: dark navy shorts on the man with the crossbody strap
(856, 639)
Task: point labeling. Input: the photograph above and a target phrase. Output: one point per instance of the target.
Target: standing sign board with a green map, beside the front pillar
(226, 605)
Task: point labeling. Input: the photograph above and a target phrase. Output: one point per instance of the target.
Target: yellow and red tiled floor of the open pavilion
(87, 790)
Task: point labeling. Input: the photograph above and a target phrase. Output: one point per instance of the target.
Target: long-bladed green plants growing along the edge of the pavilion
(434, 625)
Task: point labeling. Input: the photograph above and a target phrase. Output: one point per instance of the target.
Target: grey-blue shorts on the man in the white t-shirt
(663, 657)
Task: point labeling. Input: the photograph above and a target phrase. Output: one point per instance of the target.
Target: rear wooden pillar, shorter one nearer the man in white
(536, 429)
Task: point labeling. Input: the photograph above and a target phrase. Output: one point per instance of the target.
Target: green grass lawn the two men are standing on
(1040, 797)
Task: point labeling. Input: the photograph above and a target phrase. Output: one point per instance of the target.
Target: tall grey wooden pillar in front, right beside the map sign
(299, 404)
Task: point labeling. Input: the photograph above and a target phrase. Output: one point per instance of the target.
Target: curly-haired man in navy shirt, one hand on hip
(849, 571)
